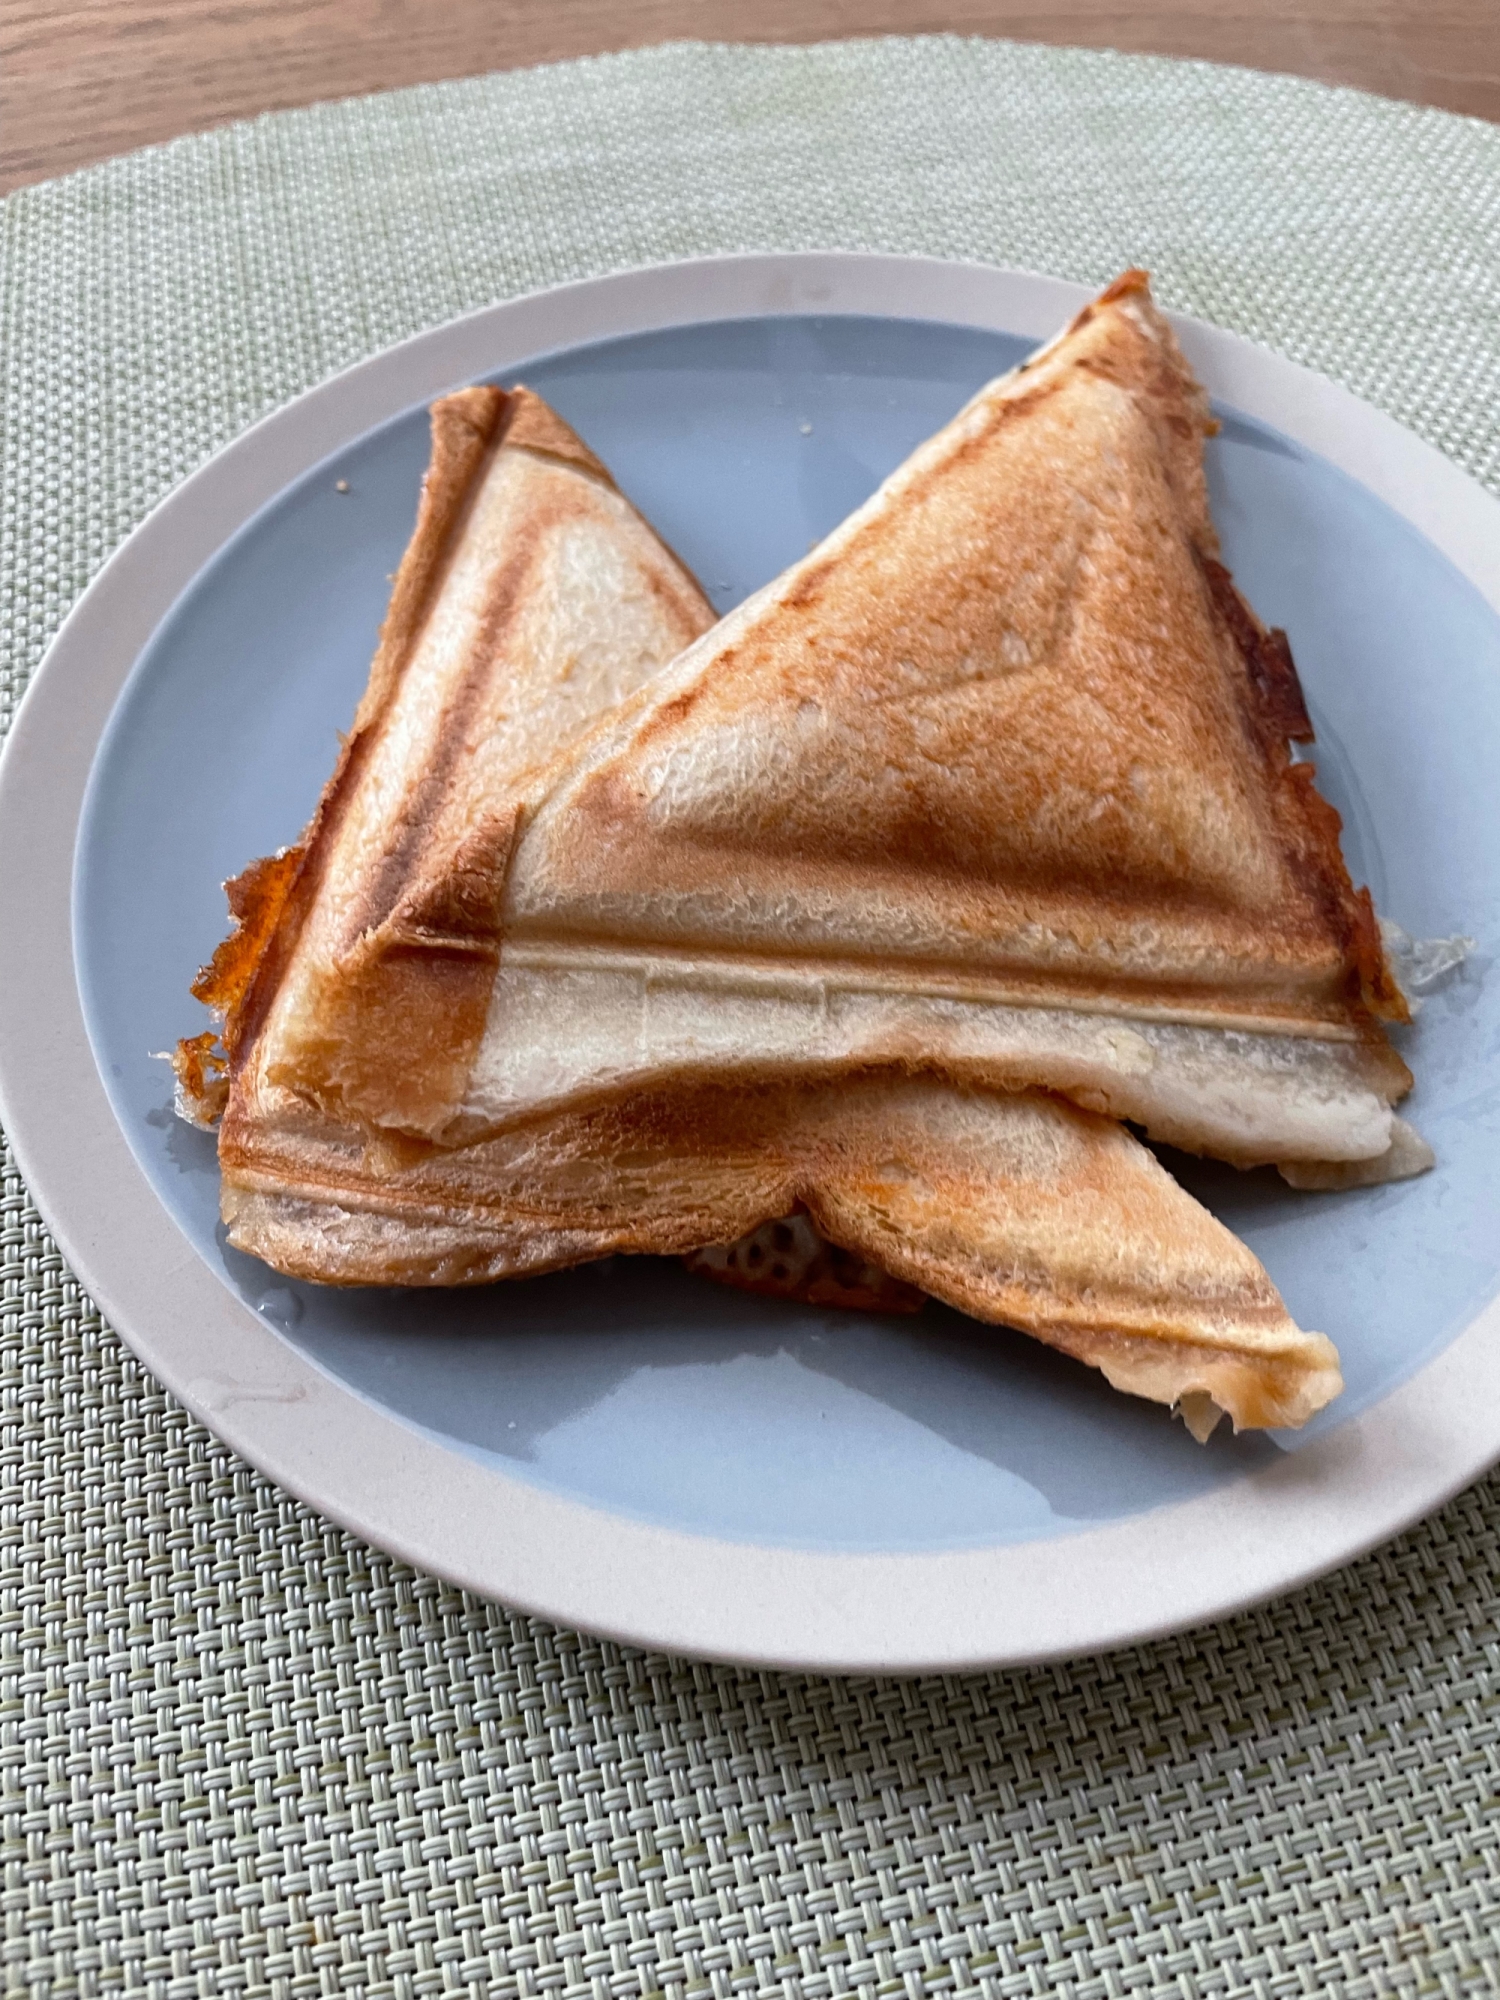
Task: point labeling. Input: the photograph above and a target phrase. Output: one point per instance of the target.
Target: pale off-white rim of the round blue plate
(535, 1551)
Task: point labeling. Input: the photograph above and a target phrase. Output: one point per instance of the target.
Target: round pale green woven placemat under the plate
(247, 1755)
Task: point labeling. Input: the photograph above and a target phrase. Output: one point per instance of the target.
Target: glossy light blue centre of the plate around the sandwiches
(633, 1385)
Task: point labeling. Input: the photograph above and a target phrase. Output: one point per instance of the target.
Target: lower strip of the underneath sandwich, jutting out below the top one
(1013, 1207)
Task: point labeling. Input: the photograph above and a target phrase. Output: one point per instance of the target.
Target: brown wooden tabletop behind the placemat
(87, 79)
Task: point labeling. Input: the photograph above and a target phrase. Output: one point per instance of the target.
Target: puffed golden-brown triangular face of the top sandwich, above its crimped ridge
(1009, 723)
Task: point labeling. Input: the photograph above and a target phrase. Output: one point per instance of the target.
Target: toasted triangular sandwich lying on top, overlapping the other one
(997, 781)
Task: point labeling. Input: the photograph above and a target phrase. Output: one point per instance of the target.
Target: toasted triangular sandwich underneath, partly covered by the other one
(1011, 1205)
